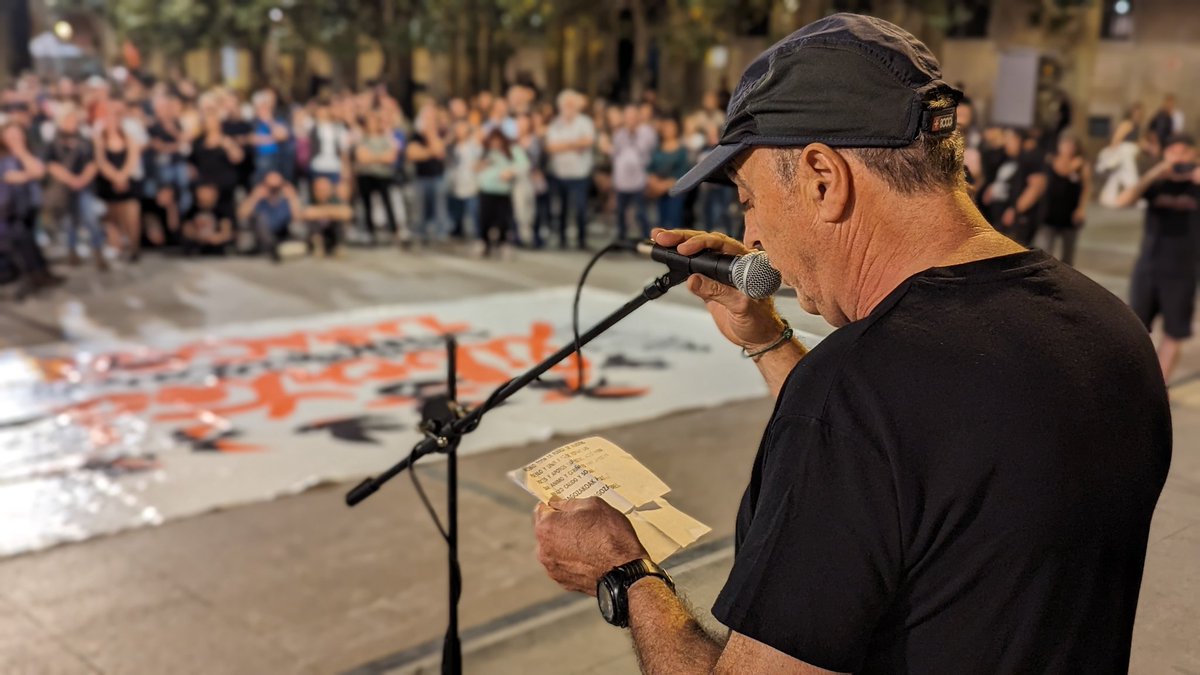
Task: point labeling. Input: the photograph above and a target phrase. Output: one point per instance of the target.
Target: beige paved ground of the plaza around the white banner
(305, 586)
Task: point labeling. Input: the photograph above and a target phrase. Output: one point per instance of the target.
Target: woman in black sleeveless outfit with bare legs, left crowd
(118, 160)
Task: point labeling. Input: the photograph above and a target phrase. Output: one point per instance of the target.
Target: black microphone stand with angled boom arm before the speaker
(446, 422)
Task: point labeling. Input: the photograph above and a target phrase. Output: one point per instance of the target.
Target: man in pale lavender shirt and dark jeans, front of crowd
(632, 147)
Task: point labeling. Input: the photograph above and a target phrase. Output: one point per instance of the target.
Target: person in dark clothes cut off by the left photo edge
(19, 171)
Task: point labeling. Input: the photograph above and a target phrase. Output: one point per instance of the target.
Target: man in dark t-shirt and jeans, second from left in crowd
(71, 166)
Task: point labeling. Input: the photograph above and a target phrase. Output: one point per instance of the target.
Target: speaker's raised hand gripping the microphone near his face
(746, 322)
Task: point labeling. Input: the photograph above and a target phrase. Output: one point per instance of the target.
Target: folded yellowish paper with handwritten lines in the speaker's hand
(596, 468)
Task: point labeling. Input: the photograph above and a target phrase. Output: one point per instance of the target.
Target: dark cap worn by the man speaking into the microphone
(848, 81)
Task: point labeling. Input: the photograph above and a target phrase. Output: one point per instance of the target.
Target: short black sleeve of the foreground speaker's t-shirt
(821, 559)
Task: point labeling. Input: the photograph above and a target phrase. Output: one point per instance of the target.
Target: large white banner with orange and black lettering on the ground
(95, 439)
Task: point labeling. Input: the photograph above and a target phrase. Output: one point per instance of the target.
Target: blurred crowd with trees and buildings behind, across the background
(290, 129)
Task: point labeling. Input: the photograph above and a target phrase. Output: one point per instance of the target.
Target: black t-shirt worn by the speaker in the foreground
(962, 482)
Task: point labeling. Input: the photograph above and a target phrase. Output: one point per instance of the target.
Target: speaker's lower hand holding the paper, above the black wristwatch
(580, 541)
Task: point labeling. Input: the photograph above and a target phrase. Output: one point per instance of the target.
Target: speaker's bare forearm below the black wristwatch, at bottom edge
(669, 641)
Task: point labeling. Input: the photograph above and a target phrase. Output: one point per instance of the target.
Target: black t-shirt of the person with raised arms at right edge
(1169, 241)
